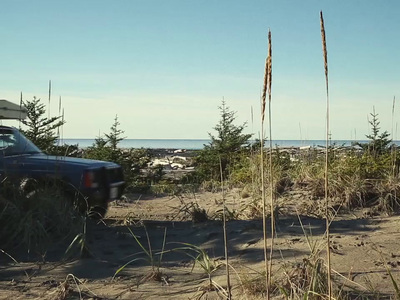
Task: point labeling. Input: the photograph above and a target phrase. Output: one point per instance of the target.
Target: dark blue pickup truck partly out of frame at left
(95, 182)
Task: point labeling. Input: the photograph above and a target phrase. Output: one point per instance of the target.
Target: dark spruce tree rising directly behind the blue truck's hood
(40, 129)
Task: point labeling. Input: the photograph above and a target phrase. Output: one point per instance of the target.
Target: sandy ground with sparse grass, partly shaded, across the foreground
(363, 247)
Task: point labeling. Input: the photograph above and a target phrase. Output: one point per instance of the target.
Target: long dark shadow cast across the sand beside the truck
(113, 245)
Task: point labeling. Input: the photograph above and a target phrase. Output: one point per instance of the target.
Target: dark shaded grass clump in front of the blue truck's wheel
(37, 221)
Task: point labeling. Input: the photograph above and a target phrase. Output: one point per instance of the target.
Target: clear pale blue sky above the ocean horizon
(164, 66)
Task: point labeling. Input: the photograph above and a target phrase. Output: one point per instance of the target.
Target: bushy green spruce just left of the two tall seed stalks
(224, 150)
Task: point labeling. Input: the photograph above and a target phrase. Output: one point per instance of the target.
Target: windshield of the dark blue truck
(12, 142)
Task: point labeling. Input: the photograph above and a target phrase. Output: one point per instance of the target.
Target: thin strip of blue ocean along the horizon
(196, 144)
